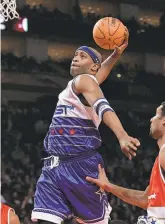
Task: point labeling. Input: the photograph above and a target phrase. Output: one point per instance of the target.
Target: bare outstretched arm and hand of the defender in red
(130, 196)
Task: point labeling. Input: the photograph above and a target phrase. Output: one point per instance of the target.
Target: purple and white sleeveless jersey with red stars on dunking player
(74, 126)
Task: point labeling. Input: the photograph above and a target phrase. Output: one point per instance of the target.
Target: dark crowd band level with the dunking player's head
(120, 72)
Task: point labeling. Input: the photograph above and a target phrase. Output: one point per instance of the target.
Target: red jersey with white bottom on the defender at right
(156, 198)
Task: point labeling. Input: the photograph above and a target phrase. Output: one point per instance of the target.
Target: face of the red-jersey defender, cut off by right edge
(157, 126)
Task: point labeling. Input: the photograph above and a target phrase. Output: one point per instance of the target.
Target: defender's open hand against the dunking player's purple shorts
(102, 180)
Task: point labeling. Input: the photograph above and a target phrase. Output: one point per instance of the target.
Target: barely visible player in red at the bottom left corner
(8, 215)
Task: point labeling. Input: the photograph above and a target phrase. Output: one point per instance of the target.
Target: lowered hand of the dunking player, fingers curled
(129, 146)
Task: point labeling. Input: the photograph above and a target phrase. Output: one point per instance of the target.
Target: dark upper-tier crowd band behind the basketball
(78, 27)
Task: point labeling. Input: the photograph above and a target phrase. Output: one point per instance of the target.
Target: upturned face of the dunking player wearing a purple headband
(82, 63)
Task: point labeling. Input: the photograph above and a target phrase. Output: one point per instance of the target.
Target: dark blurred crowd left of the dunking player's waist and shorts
(21, 154)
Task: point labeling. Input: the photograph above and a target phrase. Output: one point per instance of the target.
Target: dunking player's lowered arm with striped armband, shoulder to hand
(94, 96)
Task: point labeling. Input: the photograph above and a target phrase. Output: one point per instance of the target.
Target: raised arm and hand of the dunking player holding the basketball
(108, 64)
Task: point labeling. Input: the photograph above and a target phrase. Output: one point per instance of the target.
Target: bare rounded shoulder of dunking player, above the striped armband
(85, 83)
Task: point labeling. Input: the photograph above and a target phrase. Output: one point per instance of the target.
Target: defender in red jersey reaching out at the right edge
(153, 198)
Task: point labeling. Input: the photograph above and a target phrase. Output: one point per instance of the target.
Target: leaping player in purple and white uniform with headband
(71, 144)
